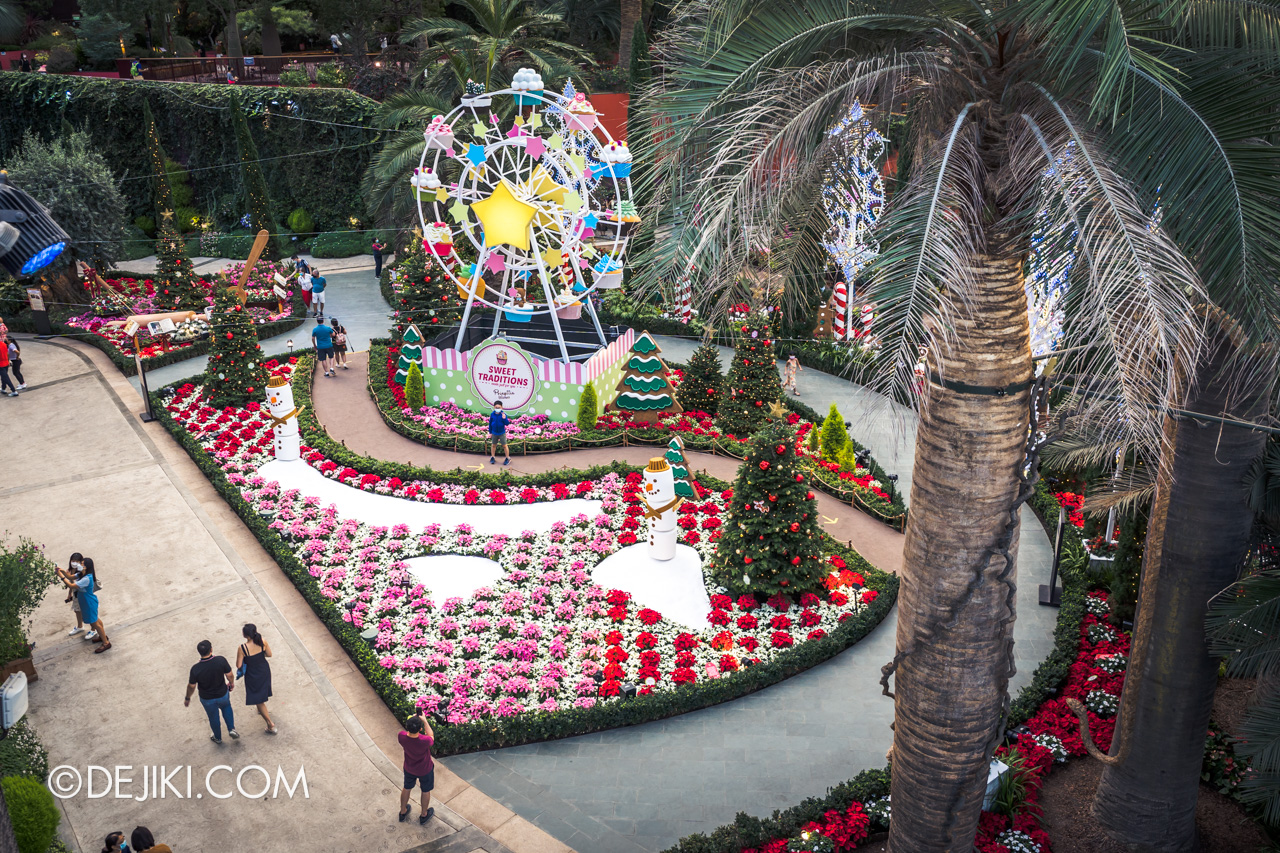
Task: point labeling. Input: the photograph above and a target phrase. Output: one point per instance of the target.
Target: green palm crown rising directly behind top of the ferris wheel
(508, 34)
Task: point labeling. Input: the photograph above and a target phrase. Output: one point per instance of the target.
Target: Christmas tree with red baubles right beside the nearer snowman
(771, 535)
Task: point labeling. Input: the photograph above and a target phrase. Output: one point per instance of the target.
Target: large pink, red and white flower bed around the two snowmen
(543, 638)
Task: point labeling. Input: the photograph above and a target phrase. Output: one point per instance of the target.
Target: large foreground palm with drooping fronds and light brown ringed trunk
(988, 98)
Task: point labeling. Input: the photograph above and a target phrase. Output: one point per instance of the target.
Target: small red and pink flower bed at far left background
(141, 297)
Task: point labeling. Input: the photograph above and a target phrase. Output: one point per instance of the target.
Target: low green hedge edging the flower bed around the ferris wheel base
(387, 408)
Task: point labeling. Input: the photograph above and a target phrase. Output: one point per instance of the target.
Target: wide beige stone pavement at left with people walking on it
(177, 567)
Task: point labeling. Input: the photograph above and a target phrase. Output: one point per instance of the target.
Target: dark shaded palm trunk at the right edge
(1197, 539)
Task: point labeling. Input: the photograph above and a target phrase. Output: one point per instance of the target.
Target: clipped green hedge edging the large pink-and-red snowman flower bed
(529, 728)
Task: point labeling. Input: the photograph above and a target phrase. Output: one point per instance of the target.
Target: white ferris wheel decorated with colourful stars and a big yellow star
(543, 199)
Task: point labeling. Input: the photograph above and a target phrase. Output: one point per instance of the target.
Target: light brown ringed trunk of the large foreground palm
(956, 614)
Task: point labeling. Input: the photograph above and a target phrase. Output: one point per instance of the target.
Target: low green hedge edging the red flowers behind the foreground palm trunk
(748, 832)
